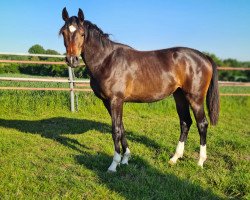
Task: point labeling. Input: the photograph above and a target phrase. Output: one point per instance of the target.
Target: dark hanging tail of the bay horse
(213, 98)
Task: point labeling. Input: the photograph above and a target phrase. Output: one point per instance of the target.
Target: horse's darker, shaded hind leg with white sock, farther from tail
(182, 107)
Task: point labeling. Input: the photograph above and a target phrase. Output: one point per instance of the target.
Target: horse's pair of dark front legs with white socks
(116, 108)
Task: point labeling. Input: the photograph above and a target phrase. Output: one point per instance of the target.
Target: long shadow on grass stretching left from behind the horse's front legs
(59, 128)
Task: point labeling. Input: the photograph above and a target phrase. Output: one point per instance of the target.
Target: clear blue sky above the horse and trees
(221, 27)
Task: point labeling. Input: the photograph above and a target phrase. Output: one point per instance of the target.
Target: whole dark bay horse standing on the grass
(119, 73)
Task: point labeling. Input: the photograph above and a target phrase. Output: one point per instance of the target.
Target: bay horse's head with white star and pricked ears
(73, 35)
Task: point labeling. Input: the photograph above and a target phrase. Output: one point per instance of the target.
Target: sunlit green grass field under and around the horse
(47, 152)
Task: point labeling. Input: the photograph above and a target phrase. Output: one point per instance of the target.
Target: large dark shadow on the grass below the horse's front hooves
(140, 180)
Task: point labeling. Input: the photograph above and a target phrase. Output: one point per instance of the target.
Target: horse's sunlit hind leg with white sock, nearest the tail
(202, 124)
